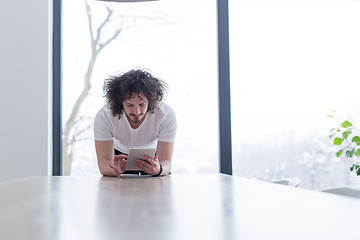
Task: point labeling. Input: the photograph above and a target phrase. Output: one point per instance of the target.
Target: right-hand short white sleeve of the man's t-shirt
(168, 127)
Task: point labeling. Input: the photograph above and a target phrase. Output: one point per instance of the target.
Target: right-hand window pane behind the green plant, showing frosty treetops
(292, 63)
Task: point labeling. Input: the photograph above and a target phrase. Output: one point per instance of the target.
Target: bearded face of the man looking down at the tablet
(136, 107)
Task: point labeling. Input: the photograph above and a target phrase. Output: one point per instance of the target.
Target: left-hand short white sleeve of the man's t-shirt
(103, 126)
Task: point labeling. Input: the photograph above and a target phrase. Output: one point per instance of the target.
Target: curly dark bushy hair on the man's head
(117, 89)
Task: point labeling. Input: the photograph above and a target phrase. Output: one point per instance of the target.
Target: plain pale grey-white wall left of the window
(25, 81)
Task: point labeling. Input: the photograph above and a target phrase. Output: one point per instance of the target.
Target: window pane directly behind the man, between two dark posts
(169, 38)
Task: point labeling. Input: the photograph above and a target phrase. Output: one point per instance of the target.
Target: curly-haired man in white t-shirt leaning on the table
(134, 116)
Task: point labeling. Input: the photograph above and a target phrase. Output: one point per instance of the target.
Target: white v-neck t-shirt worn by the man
(157, 126)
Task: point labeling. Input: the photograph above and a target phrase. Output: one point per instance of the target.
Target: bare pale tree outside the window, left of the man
(74, 129)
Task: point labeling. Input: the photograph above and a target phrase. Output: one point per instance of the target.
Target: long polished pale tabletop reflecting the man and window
(176, 207)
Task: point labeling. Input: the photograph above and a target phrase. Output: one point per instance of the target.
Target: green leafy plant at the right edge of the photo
(341, 138)
